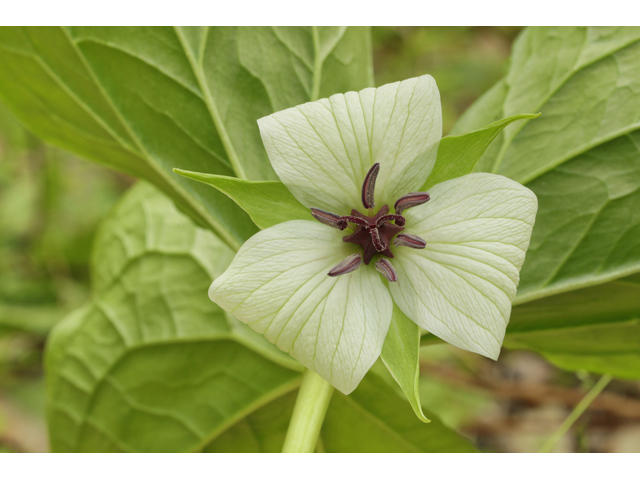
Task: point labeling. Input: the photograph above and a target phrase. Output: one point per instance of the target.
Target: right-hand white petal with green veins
(460, 287)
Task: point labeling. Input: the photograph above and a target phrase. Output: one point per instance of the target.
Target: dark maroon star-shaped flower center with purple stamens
(374, 232)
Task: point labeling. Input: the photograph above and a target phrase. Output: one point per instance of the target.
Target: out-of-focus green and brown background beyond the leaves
(52, 202)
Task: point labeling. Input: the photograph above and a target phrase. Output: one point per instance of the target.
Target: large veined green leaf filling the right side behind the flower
(582, 159)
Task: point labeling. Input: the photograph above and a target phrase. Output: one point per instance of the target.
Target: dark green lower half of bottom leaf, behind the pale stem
(372, 419)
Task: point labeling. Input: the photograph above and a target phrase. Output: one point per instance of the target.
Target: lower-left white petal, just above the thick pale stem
(278, 285)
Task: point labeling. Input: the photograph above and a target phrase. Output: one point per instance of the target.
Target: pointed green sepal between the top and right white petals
(458, 155)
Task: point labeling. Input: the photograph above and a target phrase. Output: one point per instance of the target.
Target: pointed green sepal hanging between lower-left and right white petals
(401, 355)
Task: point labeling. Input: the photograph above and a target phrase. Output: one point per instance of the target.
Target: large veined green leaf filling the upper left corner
(145, 100)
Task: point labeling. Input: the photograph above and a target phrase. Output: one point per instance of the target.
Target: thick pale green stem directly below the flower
(308, 414)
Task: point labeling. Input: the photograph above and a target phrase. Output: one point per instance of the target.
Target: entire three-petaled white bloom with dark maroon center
(324, 291)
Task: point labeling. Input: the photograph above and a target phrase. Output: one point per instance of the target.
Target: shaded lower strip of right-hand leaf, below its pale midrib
(595, 328)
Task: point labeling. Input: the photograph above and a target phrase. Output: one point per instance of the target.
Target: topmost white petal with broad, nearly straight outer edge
(322, 150)
